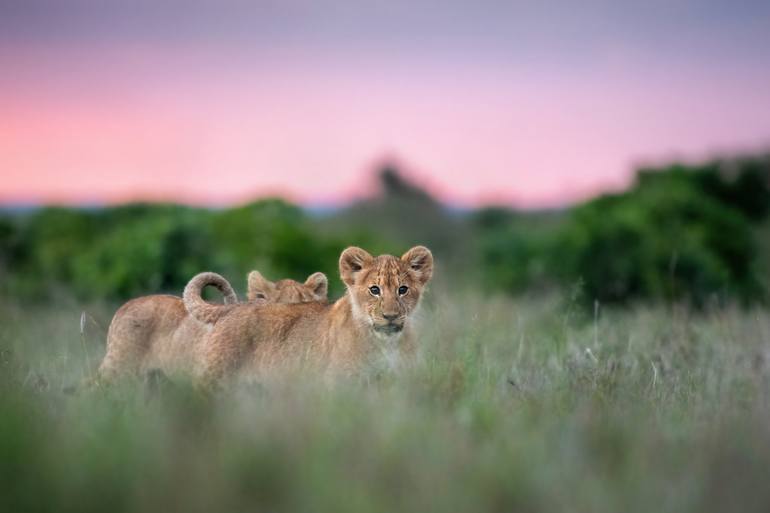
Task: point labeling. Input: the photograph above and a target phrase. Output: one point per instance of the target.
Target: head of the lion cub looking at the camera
(385, 290)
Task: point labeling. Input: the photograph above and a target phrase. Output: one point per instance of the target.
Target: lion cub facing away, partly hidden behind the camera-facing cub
(156, 332)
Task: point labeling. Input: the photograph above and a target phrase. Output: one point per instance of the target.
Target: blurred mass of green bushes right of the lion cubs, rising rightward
(681, 233)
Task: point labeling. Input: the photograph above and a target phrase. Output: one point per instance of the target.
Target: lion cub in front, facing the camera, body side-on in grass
(373, 317)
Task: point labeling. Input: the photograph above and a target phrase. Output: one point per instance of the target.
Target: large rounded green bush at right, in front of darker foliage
(663, 240)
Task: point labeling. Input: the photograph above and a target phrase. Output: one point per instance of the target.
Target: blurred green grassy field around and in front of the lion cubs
(515, 405)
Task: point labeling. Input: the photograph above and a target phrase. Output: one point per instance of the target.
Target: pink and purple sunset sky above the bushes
(214, 102)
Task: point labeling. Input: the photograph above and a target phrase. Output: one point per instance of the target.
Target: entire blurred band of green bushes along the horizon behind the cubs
(681, 233)
